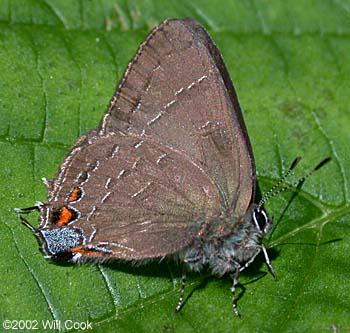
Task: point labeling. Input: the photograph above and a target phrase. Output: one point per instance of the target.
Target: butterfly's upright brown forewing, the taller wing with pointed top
(177, 91)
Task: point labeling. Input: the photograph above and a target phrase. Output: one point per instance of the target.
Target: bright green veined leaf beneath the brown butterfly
(60, 62)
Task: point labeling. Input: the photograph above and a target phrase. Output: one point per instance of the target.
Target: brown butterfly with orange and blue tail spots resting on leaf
(169, 172)
